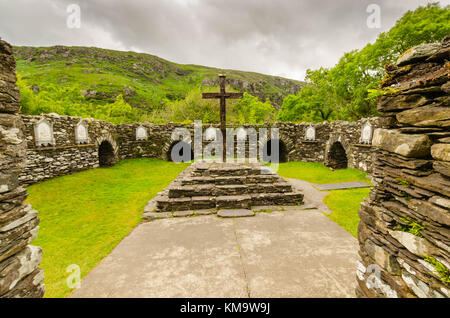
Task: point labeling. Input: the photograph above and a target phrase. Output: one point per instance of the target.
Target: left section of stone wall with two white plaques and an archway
(67, 154)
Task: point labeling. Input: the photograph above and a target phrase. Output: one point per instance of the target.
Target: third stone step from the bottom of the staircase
(231, 180)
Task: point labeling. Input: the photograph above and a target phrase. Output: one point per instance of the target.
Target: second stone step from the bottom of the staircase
(227, 189)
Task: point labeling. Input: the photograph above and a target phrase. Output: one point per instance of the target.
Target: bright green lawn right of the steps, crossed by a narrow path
(344, 204)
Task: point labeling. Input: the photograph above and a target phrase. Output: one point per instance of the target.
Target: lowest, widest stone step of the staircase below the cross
(166, 204)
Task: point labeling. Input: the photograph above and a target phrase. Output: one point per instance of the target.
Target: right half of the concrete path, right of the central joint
(297, 254)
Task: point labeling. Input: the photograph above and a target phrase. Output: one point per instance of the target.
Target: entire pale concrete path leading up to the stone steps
(291, 253)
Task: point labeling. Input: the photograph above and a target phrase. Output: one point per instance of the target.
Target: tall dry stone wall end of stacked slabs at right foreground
(404, 232)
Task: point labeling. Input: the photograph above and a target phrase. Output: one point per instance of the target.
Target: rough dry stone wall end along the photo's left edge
(20, 275)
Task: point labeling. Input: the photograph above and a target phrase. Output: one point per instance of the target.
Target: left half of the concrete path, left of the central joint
(177, 257)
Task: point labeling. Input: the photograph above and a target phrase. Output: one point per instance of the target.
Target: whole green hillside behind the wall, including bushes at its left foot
(81, 81)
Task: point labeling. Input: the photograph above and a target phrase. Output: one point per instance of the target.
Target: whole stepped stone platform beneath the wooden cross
(223, 186)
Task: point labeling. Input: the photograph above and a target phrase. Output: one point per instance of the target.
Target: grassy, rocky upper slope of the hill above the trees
(151, 78)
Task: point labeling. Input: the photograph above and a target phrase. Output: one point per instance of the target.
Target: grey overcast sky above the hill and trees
(278, 37)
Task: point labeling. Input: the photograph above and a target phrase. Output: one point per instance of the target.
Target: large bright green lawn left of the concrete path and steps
(85, 215)
